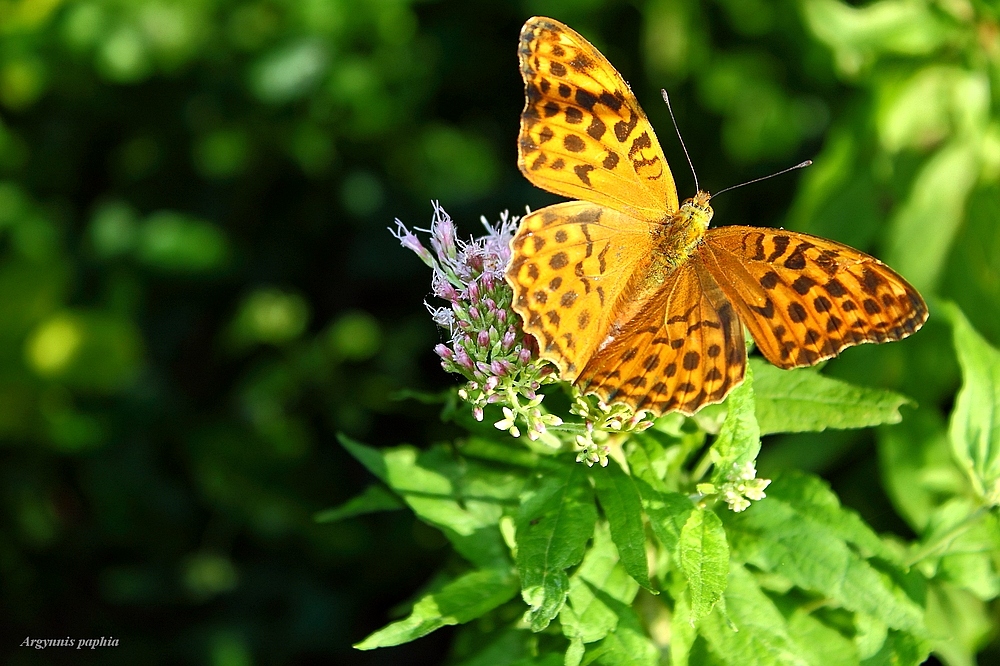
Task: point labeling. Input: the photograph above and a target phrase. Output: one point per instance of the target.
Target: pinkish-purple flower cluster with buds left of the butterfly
(487, 345)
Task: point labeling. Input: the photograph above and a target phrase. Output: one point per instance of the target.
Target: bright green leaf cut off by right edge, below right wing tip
(975, 421)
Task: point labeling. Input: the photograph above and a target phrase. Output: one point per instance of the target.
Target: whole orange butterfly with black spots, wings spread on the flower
(628, 291)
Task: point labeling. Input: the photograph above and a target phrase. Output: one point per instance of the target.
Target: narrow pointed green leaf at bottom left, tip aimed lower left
(463, 599)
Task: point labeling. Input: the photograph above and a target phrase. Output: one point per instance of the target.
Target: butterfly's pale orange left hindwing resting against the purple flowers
(571, 262)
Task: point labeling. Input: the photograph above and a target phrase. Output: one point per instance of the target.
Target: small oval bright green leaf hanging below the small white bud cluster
(704, 559)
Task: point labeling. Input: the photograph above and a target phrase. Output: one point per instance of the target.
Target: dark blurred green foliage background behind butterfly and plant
(198, 290)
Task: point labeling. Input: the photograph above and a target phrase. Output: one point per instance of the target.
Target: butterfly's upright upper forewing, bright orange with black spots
(583, 134)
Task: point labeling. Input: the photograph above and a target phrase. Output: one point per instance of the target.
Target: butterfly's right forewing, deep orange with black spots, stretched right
(805, 298)
